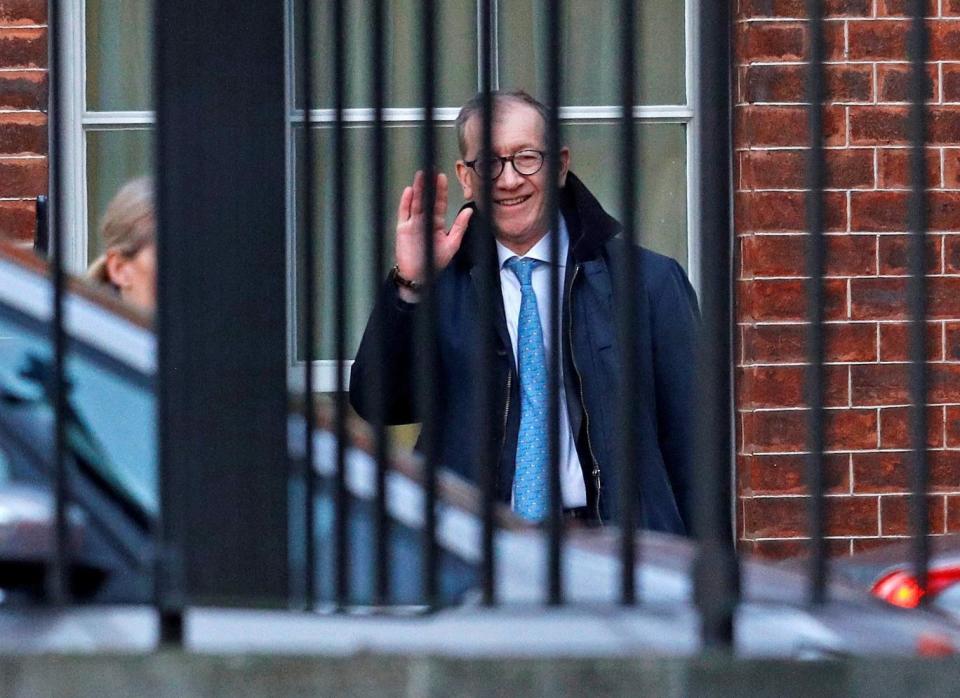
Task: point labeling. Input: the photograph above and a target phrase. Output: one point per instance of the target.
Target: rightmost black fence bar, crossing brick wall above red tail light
(917, 288)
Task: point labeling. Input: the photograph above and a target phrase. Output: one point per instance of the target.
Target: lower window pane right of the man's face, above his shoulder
(662, 199)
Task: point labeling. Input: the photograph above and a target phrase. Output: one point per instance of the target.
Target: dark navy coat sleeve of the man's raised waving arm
(397, 321)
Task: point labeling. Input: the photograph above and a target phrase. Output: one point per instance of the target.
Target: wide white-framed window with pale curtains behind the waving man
(110, 138)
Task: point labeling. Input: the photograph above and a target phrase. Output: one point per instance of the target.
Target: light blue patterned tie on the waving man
(530, 477)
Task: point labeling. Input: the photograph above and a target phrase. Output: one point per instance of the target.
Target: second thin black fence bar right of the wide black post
(340, 178)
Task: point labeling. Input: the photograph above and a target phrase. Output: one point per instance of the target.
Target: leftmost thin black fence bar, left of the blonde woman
(58, 584)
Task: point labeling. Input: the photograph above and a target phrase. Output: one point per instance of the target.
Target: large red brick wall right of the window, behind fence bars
(865, 127)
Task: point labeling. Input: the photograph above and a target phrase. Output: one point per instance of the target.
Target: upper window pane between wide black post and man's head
(456, 32)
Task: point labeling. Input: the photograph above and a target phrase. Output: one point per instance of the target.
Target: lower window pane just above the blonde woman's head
(113, 157)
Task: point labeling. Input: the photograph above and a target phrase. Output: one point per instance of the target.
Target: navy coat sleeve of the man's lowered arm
(675, 319)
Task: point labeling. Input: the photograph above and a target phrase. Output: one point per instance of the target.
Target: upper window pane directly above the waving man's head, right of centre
(590, 50)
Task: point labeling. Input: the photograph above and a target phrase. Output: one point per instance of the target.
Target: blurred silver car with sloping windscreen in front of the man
(111, 466)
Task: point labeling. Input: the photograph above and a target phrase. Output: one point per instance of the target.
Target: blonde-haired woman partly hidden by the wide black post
(128, 233)
